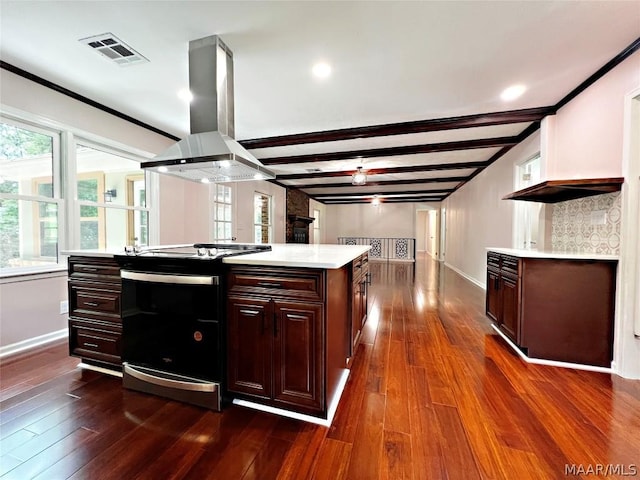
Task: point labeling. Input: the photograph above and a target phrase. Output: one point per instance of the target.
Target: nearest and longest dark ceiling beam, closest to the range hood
(418, 126)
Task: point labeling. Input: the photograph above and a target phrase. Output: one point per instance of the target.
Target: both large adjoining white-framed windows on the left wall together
(92, 196)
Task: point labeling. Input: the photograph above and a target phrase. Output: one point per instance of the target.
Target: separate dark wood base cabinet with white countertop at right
(553, 306)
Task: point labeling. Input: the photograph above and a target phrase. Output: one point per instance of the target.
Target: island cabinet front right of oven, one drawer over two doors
(276, 337)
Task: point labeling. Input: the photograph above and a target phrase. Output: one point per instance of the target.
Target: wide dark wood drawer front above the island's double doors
(300, 284)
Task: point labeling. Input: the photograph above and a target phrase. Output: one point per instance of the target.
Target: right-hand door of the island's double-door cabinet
(298, 356)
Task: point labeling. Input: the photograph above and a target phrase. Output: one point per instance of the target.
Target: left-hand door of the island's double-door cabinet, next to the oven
(250, 338)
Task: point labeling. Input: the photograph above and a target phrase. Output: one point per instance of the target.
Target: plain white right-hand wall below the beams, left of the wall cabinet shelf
(478, 218)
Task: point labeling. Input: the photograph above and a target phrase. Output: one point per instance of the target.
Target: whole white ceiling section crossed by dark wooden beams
(421, 161)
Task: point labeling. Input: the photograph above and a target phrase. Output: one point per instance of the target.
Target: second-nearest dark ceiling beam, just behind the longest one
(393, 151)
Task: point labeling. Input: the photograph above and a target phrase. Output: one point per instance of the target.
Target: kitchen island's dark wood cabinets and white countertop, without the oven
(288, 330)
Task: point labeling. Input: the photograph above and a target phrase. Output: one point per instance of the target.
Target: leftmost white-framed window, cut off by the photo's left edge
(30, 199)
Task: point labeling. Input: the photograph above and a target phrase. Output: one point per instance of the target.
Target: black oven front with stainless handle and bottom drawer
(172, 333)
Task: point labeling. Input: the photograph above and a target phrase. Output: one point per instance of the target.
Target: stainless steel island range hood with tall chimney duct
(210, 153)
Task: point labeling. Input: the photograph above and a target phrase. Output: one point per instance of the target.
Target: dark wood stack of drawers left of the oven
(95, 325)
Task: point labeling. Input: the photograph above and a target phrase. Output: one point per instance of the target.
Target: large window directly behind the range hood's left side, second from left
(112, 206)
